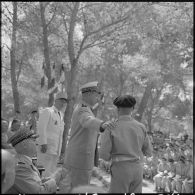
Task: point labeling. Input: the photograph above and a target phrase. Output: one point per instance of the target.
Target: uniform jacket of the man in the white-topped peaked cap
(82, 138)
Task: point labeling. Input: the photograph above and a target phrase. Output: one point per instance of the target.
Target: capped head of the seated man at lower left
(24, 142)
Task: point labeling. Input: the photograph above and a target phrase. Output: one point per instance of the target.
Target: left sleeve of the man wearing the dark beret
(105, 145)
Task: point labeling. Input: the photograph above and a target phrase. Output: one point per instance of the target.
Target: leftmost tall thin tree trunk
(13, 60)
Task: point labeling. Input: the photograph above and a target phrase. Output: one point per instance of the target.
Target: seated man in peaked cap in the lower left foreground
(27, 179)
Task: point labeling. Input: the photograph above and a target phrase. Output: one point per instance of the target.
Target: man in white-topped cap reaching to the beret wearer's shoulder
(80, 150)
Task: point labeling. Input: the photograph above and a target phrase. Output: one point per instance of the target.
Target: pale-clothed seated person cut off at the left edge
(7, 170)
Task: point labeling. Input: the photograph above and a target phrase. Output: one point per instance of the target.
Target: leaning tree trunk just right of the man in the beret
(144, 101)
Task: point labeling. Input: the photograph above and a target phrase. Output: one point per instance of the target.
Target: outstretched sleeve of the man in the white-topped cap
(87, 120)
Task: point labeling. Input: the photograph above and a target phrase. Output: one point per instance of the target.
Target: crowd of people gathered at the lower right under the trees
(171, 165)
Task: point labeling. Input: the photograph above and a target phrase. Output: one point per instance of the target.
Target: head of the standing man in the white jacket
(60, 101)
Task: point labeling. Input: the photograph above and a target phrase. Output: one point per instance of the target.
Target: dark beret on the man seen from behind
(124, 101)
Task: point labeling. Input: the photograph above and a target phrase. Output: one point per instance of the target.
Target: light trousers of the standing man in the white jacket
(48, 161)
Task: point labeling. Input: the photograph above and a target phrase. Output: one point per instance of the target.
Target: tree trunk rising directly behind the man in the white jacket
(46, 54)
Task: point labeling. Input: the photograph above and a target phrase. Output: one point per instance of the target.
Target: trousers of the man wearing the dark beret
(126, 177)
